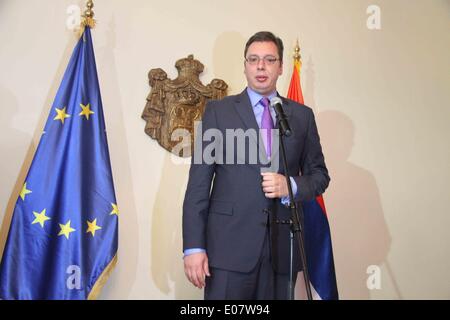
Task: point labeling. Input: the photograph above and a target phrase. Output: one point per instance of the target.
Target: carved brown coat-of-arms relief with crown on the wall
(174, 105)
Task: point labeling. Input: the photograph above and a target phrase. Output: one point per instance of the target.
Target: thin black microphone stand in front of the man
(296, 229)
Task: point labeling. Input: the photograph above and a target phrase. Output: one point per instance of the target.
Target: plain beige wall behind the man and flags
(382, 100)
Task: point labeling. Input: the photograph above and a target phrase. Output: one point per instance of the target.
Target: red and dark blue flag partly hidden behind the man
(319, 251)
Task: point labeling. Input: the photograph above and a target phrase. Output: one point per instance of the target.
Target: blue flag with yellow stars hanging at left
(62, 242)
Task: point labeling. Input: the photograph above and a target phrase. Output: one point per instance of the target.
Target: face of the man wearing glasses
(262, 76)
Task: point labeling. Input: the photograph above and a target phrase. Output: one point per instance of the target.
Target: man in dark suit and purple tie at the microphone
(232, 246)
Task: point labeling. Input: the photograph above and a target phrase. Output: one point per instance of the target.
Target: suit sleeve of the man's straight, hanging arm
(196, 201)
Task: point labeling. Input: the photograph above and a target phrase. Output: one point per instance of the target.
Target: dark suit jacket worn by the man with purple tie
(230, 220)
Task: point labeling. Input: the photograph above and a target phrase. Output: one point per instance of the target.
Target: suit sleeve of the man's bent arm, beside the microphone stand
(314, 178)
